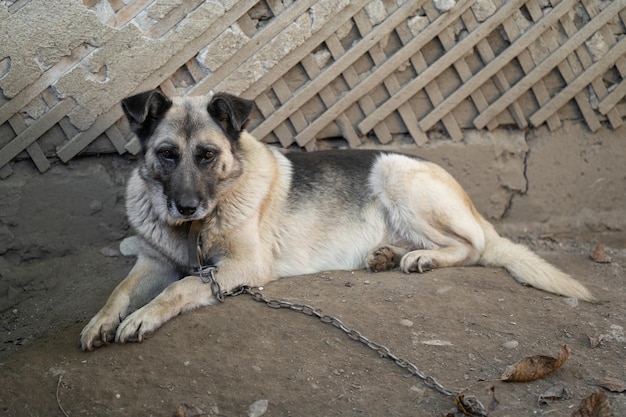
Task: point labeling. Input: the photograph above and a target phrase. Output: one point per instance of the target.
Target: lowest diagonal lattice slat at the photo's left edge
(33, 132)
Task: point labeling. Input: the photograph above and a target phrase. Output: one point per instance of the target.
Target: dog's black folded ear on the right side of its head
(230, 112)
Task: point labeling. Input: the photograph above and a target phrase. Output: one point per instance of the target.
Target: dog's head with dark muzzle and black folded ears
(190, 147)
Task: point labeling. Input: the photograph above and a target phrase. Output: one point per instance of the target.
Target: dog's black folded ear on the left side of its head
(144, 111)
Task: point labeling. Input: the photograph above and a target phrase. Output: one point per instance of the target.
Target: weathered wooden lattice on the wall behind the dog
(405, 69)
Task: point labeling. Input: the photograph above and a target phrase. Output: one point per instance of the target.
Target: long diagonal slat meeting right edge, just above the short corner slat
(601, 66)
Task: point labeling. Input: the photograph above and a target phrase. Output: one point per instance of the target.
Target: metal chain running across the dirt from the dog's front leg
(467, 404)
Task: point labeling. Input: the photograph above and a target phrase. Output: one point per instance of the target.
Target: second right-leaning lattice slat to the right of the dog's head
(388, 67)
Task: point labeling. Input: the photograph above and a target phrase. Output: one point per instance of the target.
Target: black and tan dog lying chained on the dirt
(210, 203)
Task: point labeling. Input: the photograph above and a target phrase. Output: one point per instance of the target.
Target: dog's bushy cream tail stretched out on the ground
(528, 268)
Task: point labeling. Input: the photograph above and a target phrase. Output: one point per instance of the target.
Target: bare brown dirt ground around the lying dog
(462, 326)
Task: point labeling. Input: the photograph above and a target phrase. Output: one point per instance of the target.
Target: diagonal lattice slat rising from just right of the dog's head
(334, 70)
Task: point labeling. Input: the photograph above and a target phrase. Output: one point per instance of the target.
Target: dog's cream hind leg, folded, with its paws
(428, 208)
